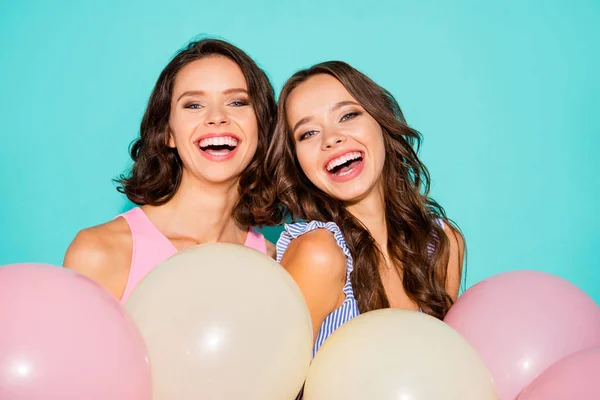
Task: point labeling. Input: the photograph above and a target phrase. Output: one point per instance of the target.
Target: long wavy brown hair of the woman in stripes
(418, 247)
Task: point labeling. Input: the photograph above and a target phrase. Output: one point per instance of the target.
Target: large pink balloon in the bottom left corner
(63, 337)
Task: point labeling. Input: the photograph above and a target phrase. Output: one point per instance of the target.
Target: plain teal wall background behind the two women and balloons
(506, 94)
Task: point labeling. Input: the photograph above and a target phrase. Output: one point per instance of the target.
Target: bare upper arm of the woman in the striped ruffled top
(318, 266)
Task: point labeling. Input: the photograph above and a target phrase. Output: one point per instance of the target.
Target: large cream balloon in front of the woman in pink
(223, 321)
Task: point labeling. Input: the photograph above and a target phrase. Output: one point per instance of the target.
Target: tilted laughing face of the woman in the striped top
(339, 145)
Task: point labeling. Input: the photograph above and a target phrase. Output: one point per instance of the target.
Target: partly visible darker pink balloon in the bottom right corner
(573, 377)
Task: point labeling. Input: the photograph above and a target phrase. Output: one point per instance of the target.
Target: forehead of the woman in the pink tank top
(212, 73)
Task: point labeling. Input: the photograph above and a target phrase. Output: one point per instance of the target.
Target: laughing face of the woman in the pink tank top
(212, 123)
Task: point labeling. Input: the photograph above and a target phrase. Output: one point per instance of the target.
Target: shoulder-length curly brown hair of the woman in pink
(157, 169)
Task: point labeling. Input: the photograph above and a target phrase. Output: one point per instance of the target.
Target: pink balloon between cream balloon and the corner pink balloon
(522, 322)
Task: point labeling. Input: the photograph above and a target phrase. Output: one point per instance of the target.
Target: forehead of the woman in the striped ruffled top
(315, 95)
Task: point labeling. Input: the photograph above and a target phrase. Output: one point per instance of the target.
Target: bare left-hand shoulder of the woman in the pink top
(103, 253)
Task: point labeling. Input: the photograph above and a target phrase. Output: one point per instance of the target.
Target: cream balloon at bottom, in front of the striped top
(400, 355)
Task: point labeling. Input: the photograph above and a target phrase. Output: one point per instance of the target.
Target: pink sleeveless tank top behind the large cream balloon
(151, 247)
